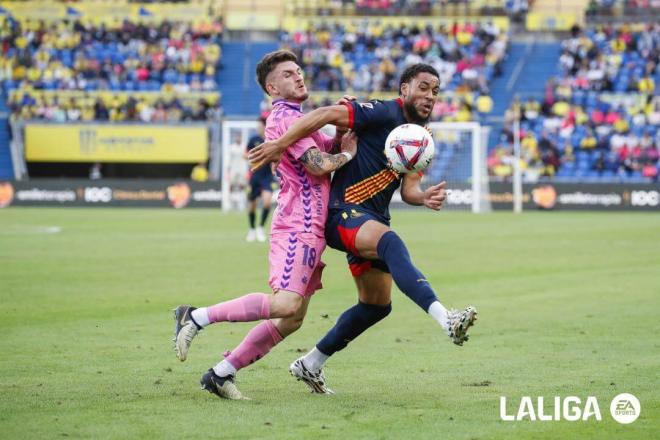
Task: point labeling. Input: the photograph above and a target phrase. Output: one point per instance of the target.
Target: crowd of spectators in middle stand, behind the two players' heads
(370, 59)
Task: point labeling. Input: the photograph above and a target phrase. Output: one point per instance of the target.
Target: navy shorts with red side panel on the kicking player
(340, 231)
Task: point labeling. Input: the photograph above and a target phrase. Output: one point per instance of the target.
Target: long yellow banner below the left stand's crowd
(115, 143)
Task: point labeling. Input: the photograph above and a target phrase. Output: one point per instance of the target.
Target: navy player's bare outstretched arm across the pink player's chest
(271, 151)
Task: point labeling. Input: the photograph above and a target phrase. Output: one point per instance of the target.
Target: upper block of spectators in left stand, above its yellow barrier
(70, 55)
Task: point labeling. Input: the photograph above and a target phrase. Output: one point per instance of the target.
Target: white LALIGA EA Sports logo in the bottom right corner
(625, 408)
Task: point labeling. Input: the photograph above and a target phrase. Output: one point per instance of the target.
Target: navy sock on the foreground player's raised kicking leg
(406, 276)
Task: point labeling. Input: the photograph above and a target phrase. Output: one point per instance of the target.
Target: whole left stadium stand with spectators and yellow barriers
(108, 61)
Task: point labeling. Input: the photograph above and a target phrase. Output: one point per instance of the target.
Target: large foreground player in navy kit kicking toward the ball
(359, 218)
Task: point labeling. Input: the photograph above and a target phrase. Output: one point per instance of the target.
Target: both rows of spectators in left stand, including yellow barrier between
(42, 64)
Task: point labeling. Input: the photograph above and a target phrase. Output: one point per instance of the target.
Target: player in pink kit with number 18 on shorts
(297, 235)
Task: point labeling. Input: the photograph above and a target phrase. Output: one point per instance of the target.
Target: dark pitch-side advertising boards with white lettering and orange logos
(186, 194)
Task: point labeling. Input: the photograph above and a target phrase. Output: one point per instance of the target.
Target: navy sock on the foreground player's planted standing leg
(350, 325)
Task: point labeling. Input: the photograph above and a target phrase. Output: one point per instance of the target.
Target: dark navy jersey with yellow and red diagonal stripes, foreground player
(366, 181)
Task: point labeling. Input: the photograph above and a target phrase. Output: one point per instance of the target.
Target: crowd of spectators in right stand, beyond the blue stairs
(588, 126)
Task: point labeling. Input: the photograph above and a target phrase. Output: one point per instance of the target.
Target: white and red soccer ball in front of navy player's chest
(409, 148)
